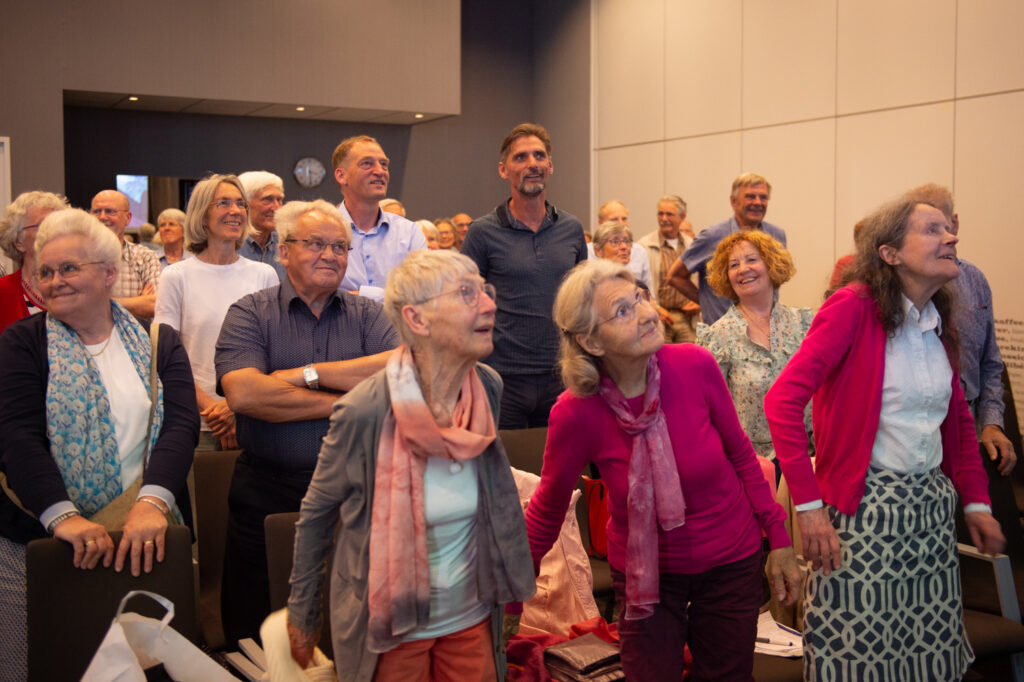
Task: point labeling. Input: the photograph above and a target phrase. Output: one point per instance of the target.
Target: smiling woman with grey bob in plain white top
(195, 294)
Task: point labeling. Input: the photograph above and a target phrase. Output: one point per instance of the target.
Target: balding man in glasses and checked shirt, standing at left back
(139, 269)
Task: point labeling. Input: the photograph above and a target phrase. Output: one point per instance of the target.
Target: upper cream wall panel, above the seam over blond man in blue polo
(789, 61)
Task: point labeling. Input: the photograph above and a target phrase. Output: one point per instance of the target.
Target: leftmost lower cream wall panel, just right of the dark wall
(634, 177)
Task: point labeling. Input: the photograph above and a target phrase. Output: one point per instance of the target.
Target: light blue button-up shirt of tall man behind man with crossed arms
(376, 252)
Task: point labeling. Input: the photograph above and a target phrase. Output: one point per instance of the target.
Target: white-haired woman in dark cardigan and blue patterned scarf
(83, 430)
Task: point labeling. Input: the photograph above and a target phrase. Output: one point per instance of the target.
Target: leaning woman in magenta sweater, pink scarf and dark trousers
(687, 496)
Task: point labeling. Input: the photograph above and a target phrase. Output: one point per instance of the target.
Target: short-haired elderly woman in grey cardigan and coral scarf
(432, 540)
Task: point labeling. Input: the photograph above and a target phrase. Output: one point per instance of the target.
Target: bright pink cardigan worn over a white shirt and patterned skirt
(842, 364)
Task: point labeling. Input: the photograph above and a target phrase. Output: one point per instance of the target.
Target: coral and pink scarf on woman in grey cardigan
(400, 570)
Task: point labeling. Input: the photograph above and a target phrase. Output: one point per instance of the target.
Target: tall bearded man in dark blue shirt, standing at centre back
(525, 248)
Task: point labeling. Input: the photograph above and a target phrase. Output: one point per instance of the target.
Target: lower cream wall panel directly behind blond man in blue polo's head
(799, 160)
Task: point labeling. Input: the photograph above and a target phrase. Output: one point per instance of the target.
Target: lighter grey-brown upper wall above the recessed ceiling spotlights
(388, 55)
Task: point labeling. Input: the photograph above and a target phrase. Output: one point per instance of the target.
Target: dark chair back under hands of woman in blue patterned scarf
(71, 610)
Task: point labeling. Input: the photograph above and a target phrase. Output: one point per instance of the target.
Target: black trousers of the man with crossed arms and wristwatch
(257, 491)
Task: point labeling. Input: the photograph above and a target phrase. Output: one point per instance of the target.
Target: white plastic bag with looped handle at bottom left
(135, 644)
